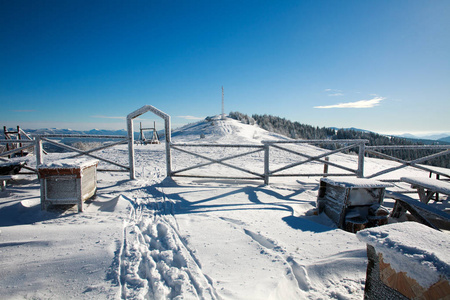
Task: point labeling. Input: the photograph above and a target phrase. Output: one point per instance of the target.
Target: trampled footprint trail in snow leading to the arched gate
(155, 263)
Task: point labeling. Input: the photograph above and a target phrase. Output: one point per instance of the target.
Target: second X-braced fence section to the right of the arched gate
(345, 145)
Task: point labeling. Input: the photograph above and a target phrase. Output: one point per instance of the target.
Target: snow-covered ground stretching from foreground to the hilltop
(158, 238)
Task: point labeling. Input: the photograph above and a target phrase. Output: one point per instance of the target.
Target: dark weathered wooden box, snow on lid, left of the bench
(352, 203)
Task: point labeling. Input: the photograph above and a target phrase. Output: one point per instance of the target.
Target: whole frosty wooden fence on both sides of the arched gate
(345, 145)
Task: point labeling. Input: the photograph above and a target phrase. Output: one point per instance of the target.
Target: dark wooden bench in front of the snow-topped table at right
(422, 212)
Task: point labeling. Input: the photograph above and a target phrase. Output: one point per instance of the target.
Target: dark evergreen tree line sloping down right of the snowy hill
(296, 130)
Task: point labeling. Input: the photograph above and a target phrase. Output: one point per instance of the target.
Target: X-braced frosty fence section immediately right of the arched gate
(221, 161)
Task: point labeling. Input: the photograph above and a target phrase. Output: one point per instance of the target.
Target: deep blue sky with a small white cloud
(376, 65)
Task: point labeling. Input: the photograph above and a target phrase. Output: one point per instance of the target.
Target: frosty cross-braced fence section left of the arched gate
(47, 138)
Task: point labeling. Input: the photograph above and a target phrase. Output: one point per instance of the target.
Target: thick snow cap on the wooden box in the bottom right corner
(418, 250)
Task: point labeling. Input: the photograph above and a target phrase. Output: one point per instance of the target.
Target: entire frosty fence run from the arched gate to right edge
(345, 145)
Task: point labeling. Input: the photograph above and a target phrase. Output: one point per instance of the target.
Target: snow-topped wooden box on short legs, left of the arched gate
(70, 181)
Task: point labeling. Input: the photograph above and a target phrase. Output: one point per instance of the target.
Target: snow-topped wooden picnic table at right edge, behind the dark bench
(427, 187)
